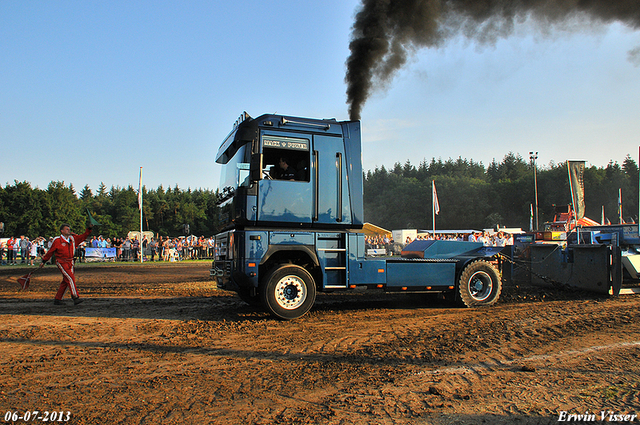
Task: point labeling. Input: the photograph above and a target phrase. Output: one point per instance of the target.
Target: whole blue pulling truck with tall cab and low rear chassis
(291, 207)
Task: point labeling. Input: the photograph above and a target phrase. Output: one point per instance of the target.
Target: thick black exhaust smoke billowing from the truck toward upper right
(387, 32)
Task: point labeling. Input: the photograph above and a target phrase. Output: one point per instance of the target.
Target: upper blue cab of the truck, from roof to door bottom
(316, 192)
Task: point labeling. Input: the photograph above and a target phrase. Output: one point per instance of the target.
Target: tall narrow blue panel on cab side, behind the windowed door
(329, 181)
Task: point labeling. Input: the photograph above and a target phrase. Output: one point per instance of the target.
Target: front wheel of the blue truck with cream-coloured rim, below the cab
(288, 291)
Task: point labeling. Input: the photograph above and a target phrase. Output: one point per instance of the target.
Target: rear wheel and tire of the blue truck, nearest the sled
(479, 284)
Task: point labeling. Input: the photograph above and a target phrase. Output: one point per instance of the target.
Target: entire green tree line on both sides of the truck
(471, 196)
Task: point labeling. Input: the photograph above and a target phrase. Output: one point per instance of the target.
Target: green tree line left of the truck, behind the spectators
(39, 212)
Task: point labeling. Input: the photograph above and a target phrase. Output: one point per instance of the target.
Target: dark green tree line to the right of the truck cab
(472, 196)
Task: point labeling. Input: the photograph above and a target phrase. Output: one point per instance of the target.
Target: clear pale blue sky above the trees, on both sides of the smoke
(91, 91)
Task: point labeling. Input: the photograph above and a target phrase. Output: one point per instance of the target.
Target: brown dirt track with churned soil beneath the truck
(160, 345)
